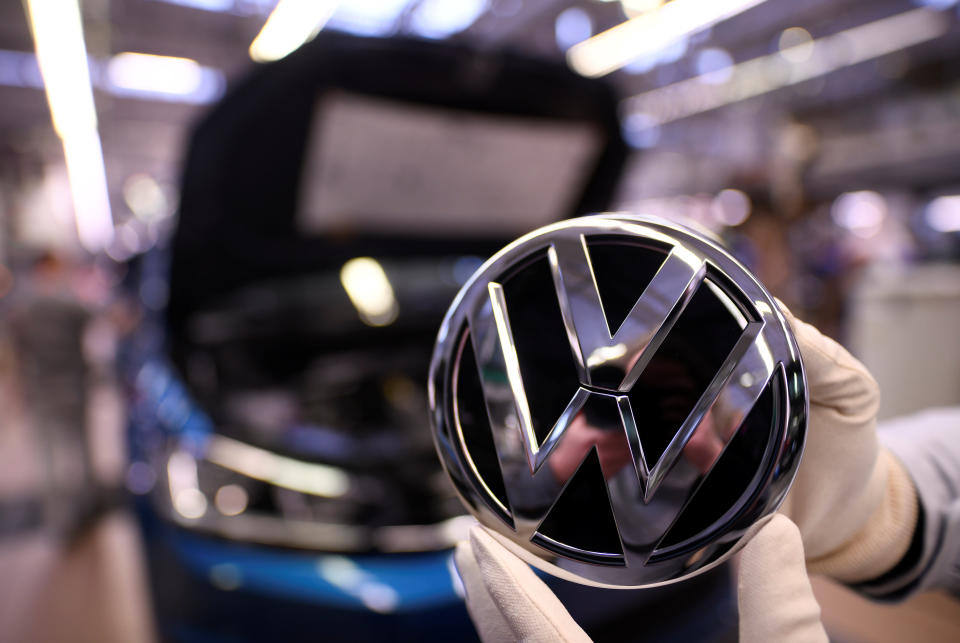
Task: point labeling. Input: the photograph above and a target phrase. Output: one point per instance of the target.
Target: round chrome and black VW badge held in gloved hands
(618, 400)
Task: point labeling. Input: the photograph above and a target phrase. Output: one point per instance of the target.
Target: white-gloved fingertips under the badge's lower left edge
(505, 598)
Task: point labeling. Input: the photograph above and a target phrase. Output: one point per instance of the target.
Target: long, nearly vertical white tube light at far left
(62, 56)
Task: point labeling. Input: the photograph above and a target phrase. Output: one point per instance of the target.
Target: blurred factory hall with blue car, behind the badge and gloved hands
(224, 255)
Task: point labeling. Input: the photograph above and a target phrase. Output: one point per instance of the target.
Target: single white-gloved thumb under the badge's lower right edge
(774, 595)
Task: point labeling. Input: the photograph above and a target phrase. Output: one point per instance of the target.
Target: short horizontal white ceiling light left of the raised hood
(151, 76)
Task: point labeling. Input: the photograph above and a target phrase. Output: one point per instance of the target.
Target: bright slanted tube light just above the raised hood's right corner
(650, 32)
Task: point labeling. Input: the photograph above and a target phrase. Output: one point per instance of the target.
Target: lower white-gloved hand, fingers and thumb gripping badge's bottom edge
(507, 601)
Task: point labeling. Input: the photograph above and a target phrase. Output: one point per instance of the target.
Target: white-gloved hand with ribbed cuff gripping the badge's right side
(853, 502)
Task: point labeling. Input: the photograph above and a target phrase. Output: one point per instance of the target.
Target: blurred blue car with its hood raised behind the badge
(332, 205)
